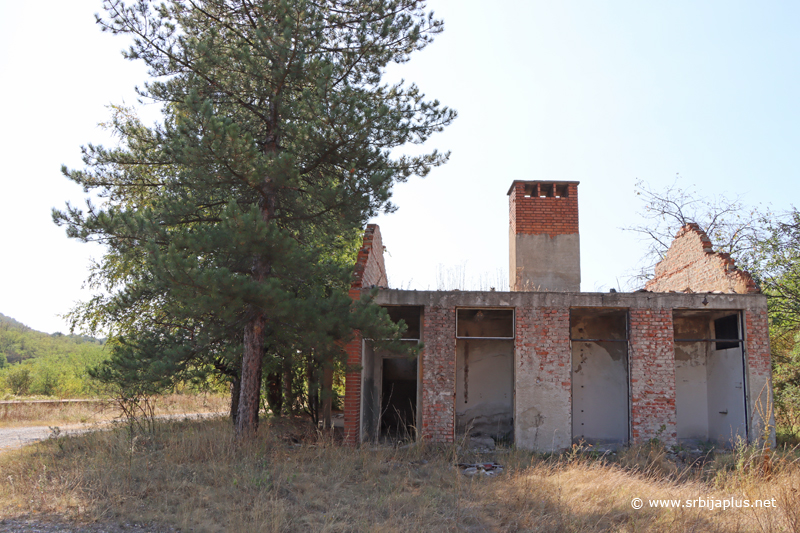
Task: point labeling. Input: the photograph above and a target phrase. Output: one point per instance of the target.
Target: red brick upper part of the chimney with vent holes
(535, 210)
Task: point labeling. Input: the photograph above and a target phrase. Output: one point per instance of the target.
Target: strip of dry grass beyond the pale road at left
(50, 414)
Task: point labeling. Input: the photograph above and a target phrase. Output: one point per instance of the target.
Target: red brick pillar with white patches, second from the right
(652, 375)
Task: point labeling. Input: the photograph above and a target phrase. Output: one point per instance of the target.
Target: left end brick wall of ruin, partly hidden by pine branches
(368, 271)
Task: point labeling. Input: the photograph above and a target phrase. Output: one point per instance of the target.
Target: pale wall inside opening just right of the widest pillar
(599, 376)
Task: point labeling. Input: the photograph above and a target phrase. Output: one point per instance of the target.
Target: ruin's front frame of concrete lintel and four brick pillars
(542, 352)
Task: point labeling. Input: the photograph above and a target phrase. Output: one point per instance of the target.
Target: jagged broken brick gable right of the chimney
(691, 265)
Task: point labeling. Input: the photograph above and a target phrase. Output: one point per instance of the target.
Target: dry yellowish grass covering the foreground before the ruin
(193, 475)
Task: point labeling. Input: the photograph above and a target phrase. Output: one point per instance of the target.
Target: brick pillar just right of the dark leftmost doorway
(439, 374)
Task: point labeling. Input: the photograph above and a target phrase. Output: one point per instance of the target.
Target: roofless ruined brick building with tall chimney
(544, 365)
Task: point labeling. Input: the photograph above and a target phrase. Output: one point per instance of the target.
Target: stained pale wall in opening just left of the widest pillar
(485, 387)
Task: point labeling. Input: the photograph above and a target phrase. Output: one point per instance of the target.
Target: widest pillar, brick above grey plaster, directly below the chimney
(542, 376)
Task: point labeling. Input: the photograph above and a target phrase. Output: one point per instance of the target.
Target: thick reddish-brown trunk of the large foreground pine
(249, 397)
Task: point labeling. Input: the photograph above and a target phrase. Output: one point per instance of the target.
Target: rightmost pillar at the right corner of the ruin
(759, 378)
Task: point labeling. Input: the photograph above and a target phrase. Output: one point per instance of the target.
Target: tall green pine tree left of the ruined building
(229, 223)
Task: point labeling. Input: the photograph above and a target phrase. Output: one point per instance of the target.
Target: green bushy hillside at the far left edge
(32, 362)
